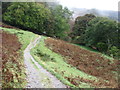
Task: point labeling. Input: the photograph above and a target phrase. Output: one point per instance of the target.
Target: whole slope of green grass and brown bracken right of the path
(75, 66)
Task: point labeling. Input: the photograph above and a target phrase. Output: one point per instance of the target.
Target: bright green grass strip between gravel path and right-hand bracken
(56, 65)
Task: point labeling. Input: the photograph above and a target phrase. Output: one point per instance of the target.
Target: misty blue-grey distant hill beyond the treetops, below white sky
(104, 13)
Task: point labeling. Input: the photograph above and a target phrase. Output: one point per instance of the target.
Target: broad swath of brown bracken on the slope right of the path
(87, 61)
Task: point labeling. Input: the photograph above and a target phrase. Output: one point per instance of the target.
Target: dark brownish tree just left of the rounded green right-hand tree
(81, 23)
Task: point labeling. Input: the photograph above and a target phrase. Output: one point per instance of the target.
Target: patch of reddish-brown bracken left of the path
(13, 72)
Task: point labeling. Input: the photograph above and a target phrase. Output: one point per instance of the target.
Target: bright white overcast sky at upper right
(90, 4)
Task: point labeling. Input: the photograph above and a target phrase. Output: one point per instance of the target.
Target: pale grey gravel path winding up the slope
(37, 76)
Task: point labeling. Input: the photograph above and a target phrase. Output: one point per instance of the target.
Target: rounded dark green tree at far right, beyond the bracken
(102, 32)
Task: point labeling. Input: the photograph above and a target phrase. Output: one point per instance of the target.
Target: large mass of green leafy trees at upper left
(38, 18)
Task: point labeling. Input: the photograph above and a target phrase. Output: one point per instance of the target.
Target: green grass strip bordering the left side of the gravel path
(25, 38)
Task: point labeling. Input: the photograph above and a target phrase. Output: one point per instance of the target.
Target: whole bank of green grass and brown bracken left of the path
(13, 69)
